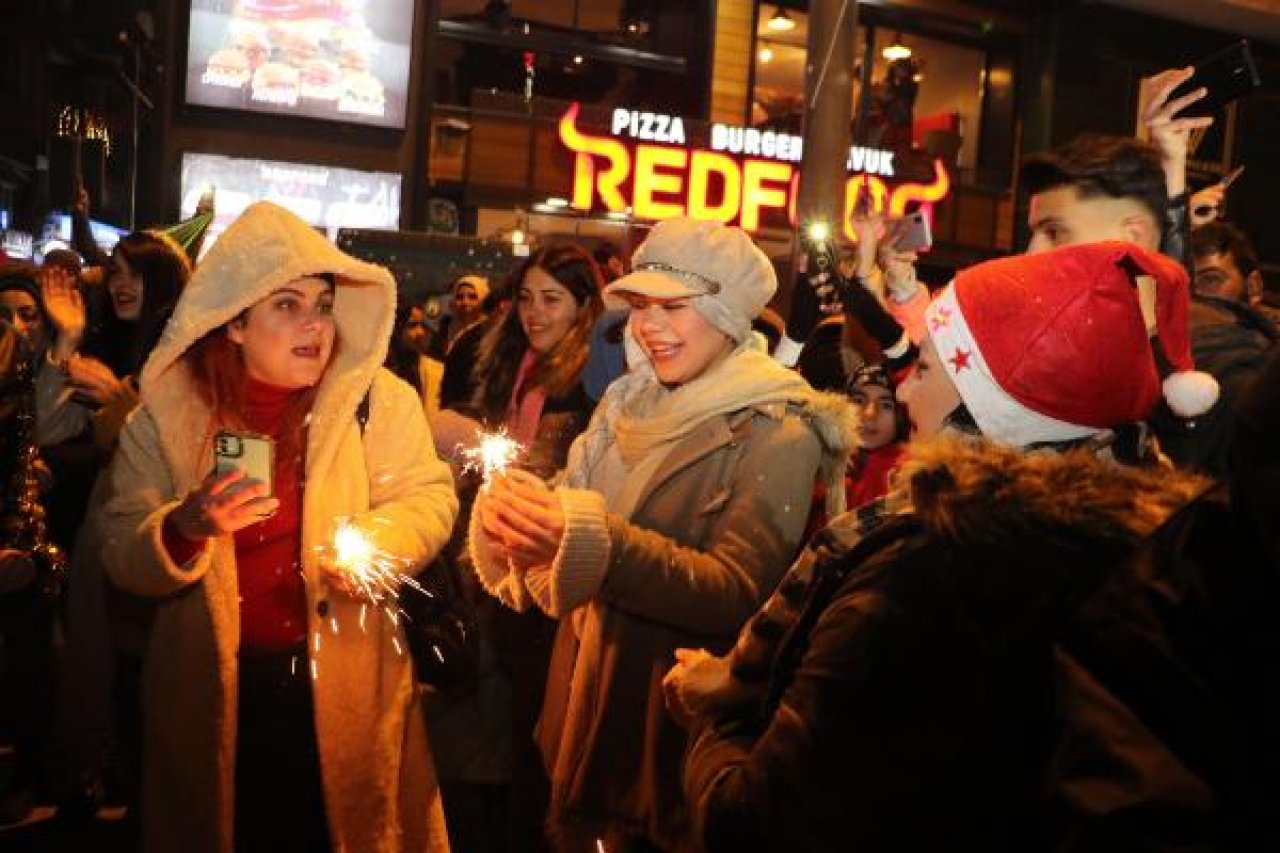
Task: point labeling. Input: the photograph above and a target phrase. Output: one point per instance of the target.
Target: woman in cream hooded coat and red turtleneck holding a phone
(278, 713)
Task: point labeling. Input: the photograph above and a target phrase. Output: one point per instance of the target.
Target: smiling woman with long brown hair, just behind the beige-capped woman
(529, 382)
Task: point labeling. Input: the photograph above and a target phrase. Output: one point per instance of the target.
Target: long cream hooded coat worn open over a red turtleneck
(378, 784)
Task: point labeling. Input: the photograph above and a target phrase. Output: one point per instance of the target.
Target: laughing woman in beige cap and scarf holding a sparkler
(682, 505)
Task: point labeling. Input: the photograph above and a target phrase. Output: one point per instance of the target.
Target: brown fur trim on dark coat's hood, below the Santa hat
(977, 492)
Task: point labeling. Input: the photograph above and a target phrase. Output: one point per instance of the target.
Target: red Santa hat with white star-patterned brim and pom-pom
(1064, 345)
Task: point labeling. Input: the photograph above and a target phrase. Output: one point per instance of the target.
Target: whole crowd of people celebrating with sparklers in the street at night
(988, 568)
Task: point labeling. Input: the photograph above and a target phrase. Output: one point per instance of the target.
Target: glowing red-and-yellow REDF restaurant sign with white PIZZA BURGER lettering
(742, 176)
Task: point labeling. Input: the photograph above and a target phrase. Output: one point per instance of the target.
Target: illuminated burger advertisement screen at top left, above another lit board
(346, 61)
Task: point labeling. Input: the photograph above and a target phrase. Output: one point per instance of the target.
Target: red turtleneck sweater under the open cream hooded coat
(268, 554)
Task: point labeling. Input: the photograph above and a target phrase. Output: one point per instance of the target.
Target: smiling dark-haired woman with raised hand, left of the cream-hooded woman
(85, 395)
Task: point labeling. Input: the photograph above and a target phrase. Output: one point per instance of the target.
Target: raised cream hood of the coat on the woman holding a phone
(264, 249)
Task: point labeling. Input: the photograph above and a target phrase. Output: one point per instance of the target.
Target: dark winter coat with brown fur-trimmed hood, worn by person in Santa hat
(1041, 654)
